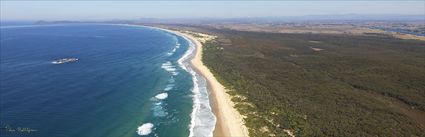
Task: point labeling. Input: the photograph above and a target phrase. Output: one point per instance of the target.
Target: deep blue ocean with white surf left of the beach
(129, 81)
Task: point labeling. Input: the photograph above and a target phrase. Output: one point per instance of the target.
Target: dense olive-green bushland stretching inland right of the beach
(279, 82)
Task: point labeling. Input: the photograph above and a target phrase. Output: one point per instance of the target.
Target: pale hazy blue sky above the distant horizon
(111, 10)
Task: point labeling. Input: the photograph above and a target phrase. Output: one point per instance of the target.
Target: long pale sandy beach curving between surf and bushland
(229, 121)
